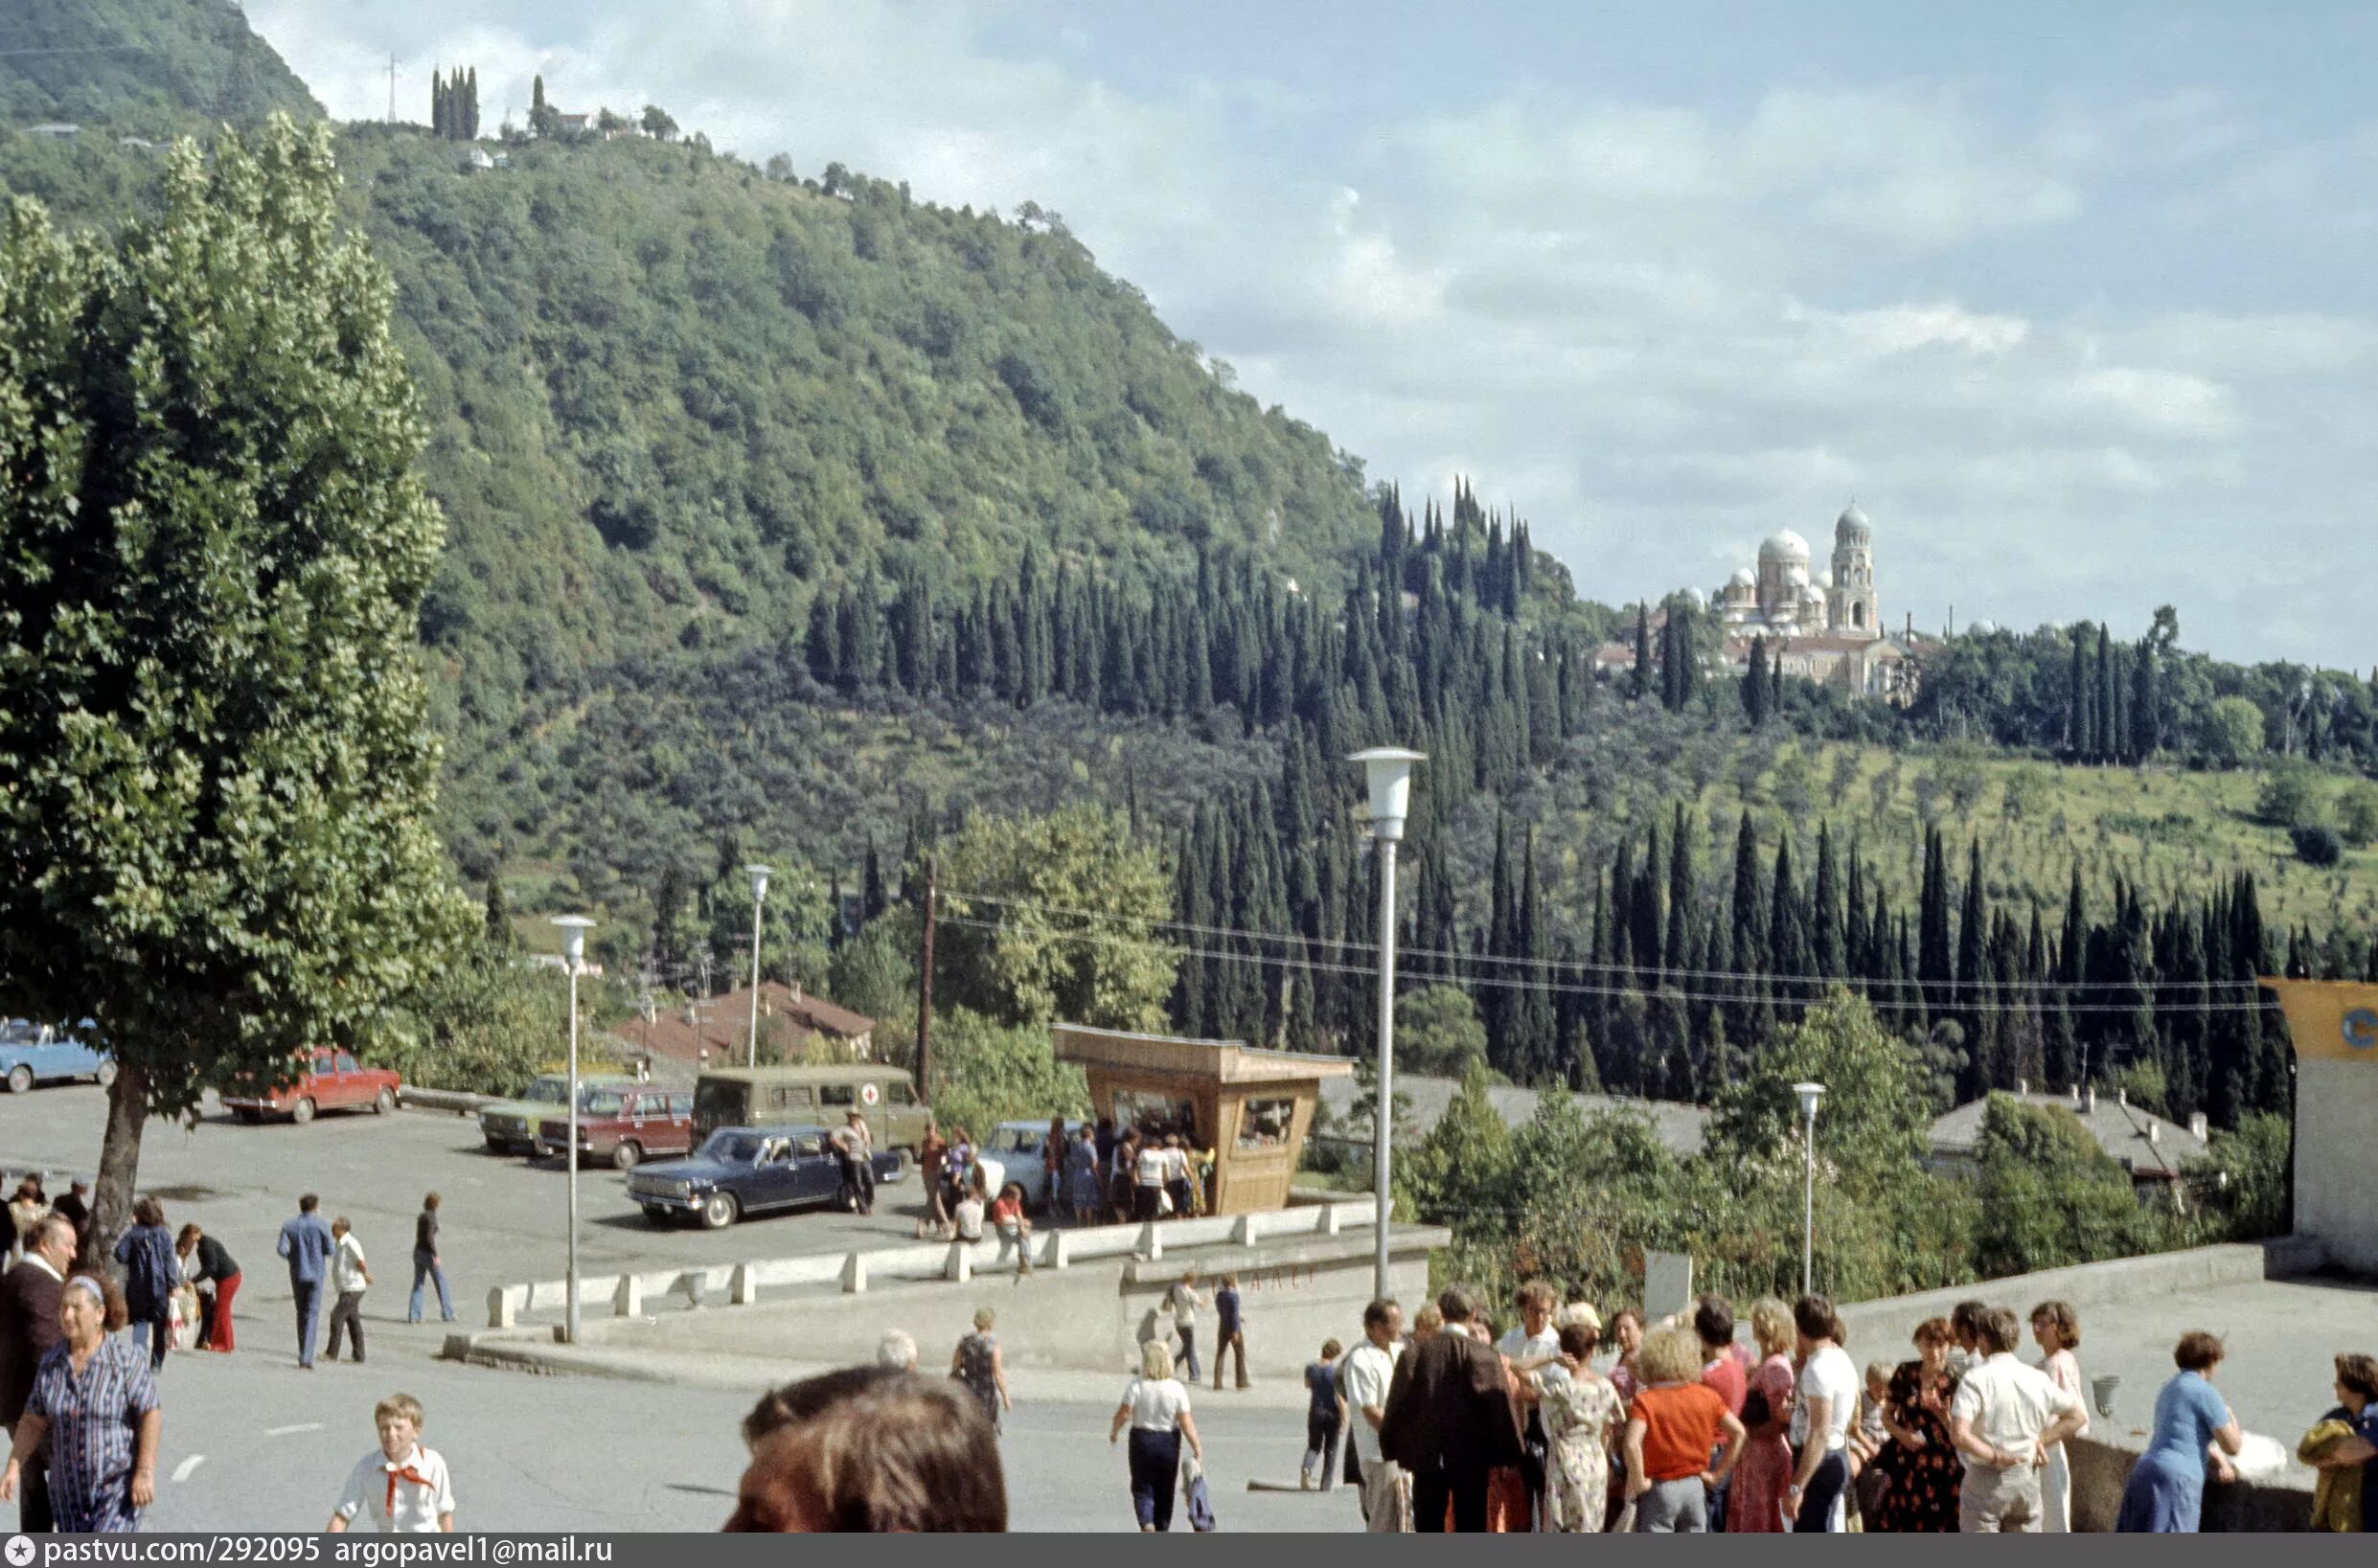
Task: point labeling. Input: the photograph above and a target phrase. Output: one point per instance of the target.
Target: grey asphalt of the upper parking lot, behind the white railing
(503, 1218)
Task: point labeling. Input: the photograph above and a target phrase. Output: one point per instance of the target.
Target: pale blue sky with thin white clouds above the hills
(2075, 303)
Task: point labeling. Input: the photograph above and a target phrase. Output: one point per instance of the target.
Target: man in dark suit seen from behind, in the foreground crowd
(1449, 1420)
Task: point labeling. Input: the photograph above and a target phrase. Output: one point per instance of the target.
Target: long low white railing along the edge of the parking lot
(741, 1284)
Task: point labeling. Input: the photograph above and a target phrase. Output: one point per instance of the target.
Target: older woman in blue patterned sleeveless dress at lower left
(96, 1405)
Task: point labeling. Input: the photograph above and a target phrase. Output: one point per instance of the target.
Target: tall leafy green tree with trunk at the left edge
(213, 723)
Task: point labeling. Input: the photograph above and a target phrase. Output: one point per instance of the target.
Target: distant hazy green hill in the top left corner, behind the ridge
(139, 68)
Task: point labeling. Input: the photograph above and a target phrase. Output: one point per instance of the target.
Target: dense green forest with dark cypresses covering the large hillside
(795, 512)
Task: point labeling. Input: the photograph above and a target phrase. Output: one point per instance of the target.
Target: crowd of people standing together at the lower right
(1687, 1427)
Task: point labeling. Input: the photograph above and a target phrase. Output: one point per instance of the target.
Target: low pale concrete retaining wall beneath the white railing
(1088, 1317)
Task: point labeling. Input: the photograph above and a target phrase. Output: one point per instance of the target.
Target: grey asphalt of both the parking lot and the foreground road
(256, 1443)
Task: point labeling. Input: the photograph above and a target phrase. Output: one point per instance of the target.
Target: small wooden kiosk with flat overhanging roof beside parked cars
(1252, 1108)
